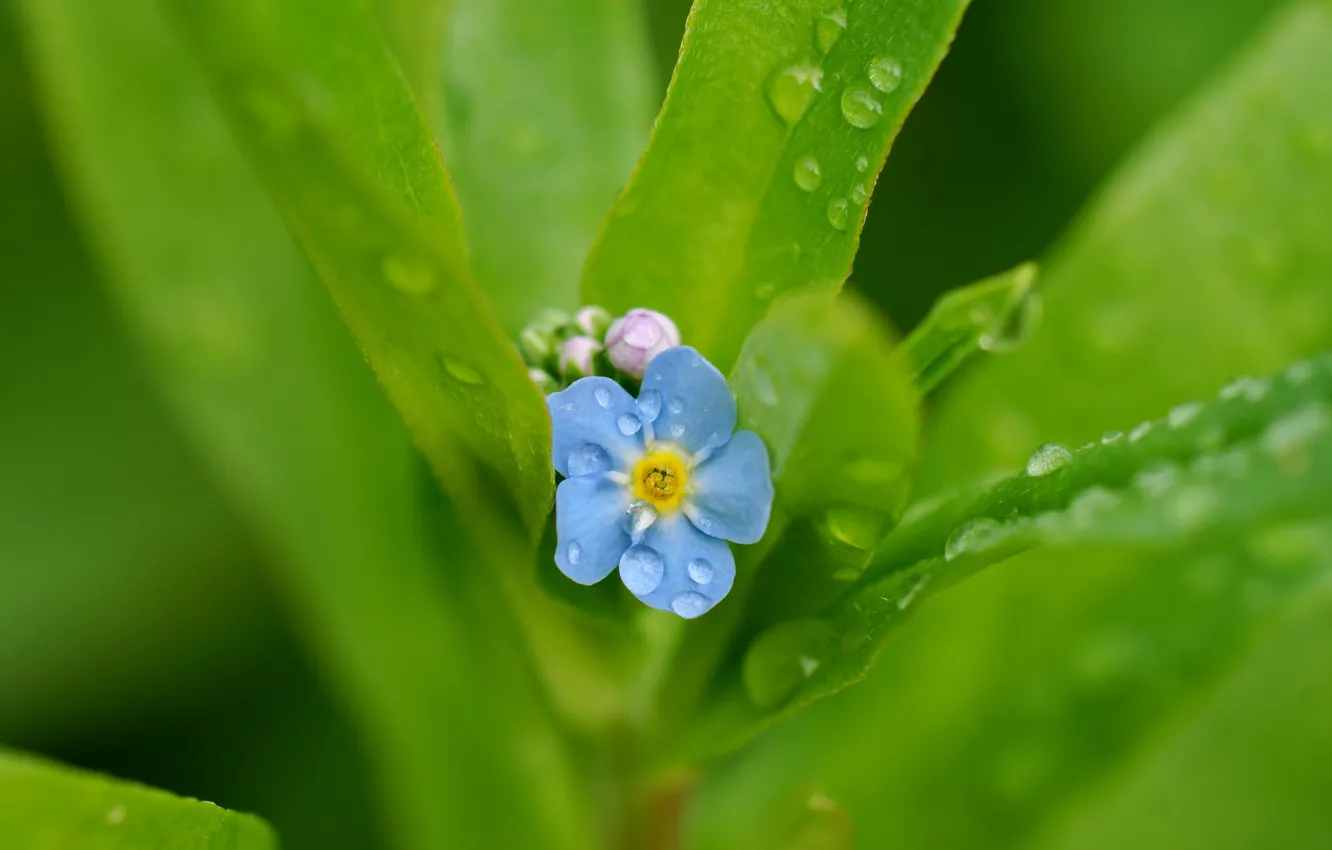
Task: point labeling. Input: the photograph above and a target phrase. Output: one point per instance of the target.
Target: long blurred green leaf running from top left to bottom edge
(258, 366)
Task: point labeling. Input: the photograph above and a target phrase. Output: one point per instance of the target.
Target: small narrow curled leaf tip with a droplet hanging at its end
(996, 315)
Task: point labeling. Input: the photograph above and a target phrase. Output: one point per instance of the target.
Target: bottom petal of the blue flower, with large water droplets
(677, 568)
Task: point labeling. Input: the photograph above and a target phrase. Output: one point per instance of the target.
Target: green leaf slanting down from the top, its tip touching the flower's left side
(336, 137)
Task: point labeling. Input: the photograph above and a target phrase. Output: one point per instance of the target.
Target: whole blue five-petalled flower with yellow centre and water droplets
(657, 487)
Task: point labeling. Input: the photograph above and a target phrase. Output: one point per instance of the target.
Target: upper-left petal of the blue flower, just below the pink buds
(588, 416)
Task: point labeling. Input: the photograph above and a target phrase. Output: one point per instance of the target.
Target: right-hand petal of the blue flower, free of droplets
(733, 491)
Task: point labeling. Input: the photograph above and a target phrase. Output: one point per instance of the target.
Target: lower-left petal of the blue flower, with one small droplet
(591, 527)
